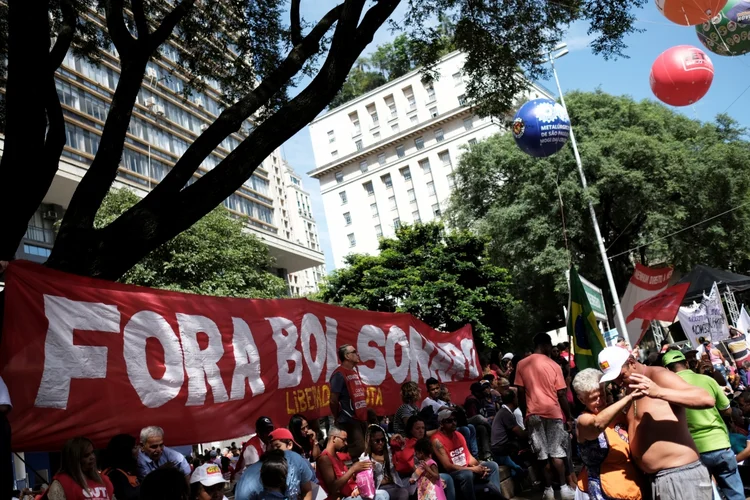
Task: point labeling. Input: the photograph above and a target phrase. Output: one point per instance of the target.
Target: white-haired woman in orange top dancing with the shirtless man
(603, 442)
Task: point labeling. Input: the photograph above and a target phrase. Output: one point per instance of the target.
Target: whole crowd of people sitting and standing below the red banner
(667, 425)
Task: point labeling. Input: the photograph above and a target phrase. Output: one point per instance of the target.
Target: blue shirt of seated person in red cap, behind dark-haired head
(299, 479)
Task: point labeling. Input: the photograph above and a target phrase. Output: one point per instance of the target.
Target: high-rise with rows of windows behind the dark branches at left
(163, 125)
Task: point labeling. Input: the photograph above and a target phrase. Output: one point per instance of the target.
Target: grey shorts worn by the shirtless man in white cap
(688, 482)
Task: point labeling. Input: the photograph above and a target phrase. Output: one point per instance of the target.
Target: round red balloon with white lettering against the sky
(681, 75)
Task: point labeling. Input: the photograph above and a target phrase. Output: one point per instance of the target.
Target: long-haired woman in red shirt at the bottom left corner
(78, 476)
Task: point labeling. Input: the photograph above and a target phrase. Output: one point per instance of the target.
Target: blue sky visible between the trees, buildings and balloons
(580, 70)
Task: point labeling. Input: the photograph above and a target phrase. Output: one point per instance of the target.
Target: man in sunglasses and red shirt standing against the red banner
(349, 399)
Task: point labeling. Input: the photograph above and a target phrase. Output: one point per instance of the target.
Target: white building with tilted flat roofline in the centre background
(388, 157)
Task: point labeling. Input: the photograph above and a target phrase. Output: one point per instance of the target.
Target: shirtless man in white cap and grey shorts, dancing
(659, 438)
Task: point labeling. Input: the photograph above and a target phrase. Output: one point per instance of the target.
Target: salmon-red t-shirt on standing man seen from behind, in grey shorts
(541, 378)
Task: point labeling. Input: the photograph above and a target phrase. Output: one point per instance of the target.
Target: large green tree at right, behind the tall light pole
(651, 172)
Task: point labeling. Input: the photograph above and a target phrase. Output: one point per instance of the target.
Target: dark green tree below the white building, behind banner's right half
(444, 279)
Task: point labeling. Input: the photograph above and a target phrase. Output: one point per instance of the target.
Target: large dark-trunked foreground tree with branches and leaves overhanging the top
(254, 51)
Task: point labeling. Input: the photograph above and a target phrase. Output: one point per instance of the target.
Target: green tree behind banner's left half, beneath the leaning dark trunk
(213, 257)
